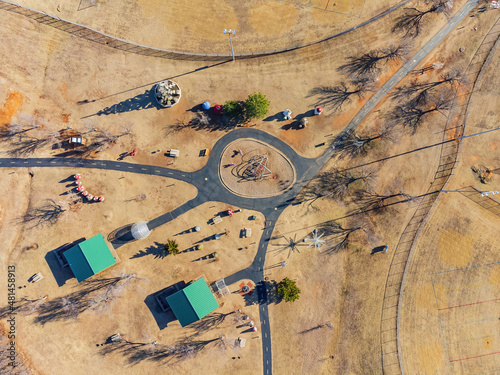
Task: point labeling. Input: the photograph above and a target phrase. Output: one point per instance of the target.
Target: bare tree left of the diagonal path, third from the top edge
(333, 98)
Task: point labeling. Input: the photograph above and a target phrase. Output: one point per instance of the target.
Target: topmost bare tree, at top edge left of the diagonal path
(411, 21)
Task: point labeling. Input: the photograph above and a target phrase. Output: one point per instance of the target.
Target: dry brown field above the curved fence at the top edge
(197, 26)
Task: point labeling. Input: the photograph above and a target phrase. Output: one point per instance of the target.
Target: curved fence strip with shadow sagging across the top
(99, 37)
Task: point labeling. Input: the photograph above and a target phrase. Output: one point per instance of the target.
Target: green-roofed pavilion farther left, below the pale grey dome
(89, 257)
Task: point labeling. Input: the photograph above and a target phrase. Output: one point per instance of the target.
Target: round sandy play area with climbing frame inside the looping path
(251, 168)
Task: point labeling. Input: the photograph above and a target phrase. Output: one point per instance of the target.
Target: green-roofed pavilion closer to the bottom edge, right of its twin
(193, 302)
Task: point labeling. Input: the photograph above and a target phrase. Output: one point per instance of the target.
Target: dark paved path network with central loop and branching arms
(210, 187)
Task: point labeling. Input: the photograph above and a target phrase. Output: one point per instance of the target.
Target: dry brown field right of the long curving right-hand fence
(450, 319)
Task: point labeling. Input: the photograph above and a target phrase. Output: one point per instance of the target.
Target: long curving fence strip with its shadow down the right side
(393, 293)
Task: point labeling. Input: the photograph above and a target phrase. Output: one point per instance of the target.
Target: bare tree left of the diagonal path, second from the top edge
(370, 64)
